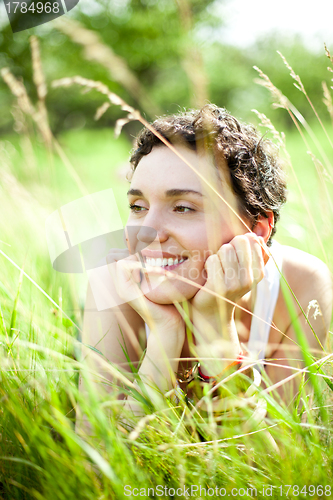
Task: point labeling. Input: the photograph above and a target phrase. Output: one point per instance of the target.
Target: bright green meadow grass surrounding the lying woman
(41, 456)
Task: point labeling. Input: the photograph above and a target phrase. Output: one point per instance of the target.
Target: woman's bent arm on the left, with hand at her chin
(116, 329)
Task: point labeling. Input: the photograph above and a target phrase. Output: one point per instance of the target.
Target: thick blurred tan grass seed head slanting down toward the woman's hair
(96, 50)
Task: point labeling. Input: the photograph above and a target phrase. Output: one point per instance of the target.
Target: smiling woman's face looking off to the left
(190, 220)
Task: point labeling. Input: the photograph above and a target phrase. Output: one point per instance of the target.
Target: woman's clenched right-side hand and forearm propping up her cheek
(232, 272)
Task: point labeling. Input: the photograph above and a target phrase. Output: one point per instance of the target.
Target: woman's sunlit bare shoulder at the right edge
(309, 278)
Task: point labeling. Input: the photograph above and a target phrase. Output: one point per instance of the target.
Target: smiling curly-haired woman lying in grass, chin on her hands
(205, 212)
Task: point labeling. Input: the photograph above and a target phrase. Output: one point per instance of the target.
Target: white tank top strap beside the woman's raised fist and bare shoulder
(267, 295)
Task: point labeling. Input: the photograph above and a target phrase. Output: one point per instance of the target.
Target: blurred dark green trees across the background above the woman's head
(169, 52)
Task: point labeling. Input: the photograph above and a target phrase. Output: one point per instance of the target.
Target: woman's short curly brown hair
(255, 169)
